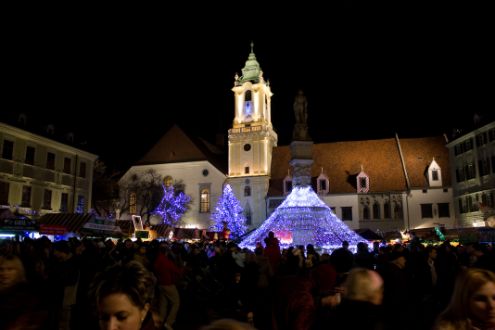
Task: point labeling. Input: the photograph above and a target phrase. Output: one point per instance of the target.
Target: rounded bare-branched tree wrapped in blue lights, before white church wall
(172, 206)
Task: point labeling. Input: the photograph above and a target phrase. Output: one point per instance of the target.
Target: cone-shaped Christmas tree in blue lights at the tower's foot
(229, 212)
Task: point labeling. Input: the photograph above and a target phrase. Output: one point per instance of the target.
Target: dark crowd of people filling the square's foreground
(99, 284)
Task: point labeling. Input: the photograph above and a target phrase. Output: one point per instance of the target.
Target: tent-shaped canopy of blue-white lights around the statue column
(302, 219)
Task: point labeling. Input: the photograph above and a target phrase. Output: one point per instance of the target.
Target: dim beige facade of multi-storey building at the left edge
(19, 175)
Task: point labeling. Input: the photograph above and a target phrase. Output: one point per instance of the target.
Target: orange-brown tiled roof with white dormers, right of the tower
(341, 162)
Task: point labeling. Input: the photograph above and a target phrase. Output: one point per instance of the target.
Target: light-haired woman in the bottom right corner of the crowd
(472, 306)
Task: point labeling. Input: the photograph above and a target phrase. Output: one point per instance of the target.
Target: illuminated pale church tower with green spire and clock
(251, 140)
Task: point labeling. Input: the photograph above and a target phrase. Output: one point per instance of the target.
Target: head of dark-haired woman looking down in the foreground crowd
(123, 295)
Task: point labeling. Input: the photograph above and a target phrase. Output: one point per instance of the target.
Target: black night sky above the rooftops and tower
(121, 82)
